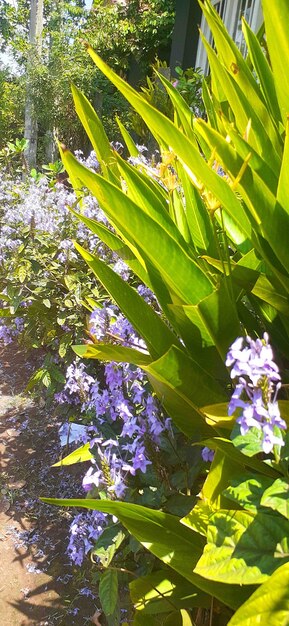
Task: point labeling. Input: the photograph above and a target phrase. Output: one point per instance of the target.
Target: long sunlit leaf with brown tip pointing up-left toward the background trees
(201, 173)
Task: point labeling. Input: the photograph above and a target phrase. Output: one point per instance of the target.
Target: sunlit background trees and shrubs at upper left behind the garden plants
(129, 34)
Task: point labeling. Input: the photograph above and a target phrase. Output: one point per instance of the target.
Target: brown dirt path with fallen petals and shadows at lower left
(37, 585)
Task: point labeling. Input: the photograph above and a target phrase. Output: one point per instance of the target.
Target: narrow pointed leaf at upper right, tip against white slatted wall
(263, 71)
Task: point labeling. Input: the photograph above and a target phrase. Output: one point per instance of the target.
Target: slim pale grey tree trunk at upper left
(34, 56)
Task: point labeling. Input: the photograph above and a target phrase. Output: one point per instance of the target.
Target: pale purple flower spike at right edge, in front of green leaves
(258, 381)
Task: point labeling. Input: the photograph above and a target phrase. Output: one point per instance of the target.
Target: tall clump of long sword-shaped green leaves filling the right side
(211, 241)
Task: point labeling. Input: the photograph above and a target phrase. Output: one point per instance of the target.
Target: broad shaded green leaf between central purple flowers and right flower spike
(182, 385)
